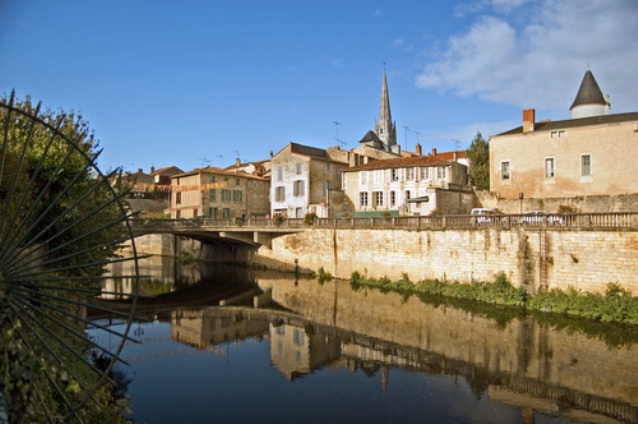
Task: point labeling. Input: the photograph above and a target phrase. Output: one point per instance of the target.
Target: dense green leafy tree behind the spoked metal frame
(61, 224)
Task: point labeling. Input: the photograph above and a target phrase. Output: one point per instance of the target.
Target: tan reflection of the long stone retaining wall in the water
(521, 348)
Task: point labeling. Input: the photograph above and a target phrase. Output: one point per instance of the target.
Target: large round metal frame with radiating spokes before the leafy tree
(45, 287)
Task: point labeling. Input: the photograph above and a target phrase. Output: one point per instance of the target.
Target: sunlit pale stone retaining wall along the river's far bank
(587, 260)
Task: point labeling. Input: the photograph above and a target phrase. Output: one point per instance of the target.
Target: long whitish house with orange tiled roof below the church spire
(417, 185)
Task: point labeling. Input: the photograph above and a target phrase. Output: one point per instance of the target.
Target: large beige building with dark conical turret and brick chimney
(590, 154)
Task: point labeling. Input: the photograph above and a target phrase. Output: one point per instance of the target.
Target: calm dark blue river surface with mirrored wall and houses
(325, 353)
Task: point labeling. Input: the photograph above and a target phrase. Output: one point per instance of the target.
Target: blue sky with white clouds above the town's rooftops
(193, 83)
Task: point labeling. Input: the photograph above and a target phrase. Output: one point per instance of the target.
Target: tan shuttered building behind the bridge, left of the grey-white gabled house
(214, 193)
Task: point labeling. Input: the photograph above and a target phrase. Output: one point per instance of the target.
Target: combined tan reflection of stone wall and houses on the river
(517, 361)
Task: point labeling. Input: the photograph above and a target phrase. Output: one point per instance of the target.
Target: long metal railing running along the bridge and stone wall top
(606, 221)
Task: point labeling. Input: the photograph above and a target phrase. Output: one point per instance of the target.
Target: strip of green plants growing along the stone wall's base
(617, 305)
